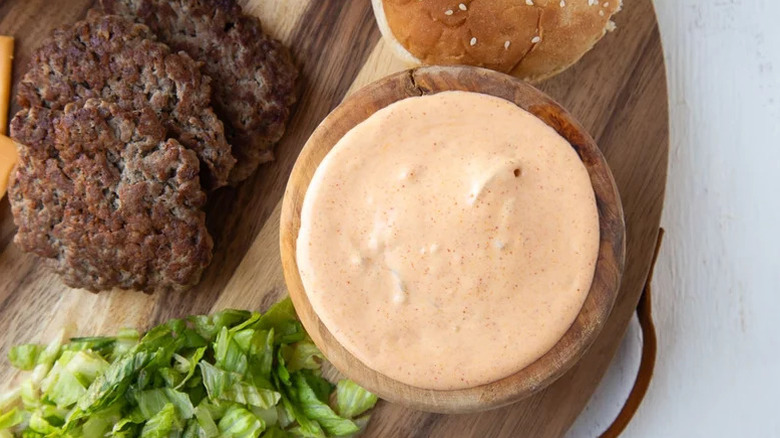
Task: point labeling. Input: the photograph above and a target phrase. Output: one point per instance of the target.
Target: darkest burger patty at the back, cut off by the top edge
(253, 74)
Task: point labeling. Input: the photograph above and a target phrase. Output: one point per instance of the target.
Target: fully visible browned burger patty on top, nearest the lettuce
(112, 202)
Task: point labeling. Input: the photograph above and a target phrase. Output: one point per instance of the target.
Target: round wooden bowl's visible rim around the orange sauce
(609, 266)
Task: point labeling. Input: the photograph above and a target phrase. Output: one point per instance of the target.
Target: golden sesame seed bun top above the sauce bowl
(530, 39)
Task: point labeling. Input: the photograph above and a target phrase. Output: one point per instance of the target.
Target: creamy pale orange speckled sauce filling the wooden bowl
(449, 240)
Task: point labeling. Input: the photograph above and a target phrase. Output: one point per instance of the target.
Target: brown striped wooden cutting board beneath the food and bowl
(618, 92)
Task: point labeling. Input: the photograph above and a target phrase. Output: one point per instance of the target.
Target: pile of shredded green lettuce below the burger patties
(231, 374)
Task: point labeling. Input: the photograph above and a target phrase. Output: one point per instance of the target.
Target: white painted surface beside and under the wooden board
(717, 284)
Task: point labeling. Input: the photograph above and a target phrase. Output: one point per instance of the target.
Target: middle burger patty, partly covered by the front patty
(116, 60)
